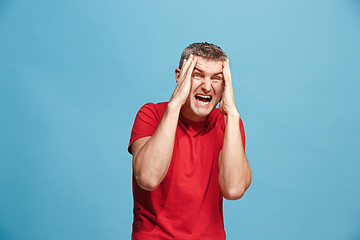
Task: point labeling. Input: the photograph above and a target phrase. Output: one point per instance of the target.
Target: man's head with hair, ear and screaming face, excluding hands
(206, 82)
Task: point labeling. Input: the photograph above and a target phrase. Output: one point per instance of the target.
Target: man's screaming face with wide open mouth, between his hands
(206, 89)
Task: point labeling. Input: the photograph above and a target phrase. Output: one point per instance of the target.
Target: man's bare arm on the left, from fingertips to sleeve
(152, 155)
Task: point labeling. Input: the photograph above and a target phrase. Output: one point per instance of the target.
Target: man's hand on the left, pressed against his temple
(183, 85)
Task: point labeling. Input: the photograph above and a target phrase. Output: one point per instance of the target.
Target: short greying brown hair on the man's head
(205, 50)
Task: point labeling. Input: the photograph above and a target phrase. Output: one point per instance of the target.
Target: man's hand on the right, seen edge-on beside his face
(227, 104)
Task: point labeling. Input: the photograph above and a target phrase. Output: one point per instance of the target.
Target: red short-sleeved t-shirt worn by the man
(188, 203)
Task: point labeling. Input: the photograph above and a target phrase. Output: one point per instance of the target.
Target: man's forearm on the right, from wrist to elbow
(234, 169)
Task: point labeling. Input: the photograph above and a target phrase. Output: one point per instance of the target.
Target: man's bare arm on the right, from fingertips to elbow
(234, 169)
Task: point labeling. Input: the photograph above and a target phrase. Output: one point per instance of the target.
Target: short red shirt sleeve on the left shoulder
(145, 124)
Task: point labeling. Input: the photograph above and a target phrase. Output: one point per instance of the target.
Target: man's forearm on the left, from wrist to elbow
(152, 161)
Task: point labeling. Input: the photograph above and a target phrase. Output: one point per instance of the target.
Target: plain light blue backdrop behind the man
(74, 73)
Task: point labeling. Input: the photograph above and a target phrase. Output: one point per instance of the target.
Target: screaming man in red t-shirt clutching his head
(188, 154)
